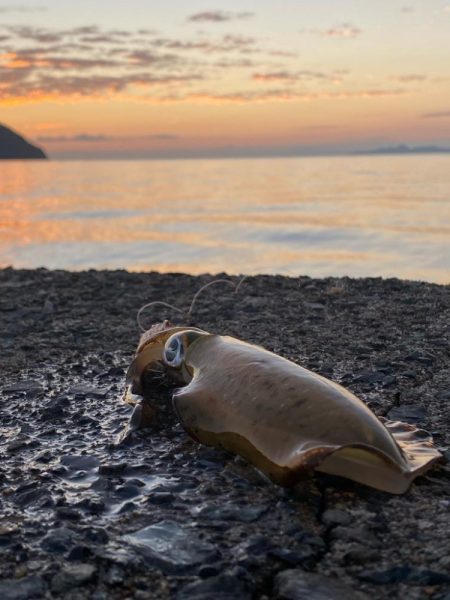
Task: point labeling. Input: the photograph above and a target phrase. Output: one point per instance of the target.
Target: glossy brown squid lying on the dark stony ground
(285, 420)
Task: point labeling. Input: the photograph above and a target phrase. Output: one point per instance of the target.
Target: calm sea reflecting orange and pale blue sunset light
(359, 216)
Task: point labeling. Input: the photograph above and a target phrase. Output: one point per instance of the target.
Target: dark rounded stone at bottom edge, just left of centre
(220, 587)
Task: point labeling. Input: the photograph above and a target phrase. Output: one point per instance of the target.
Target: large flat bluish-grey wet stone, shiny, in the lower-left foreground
(170, 547)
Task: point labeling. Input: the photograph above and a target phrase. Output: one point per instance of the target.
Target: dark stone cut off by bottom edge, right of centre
(295, 584)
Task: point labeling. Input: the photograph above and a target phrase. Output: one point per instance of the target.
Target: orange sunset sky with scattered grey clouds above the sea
(143, 78)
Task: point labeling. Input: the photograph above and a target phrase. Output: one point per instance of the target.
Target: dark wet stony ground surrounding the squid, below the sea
(164, 517)
